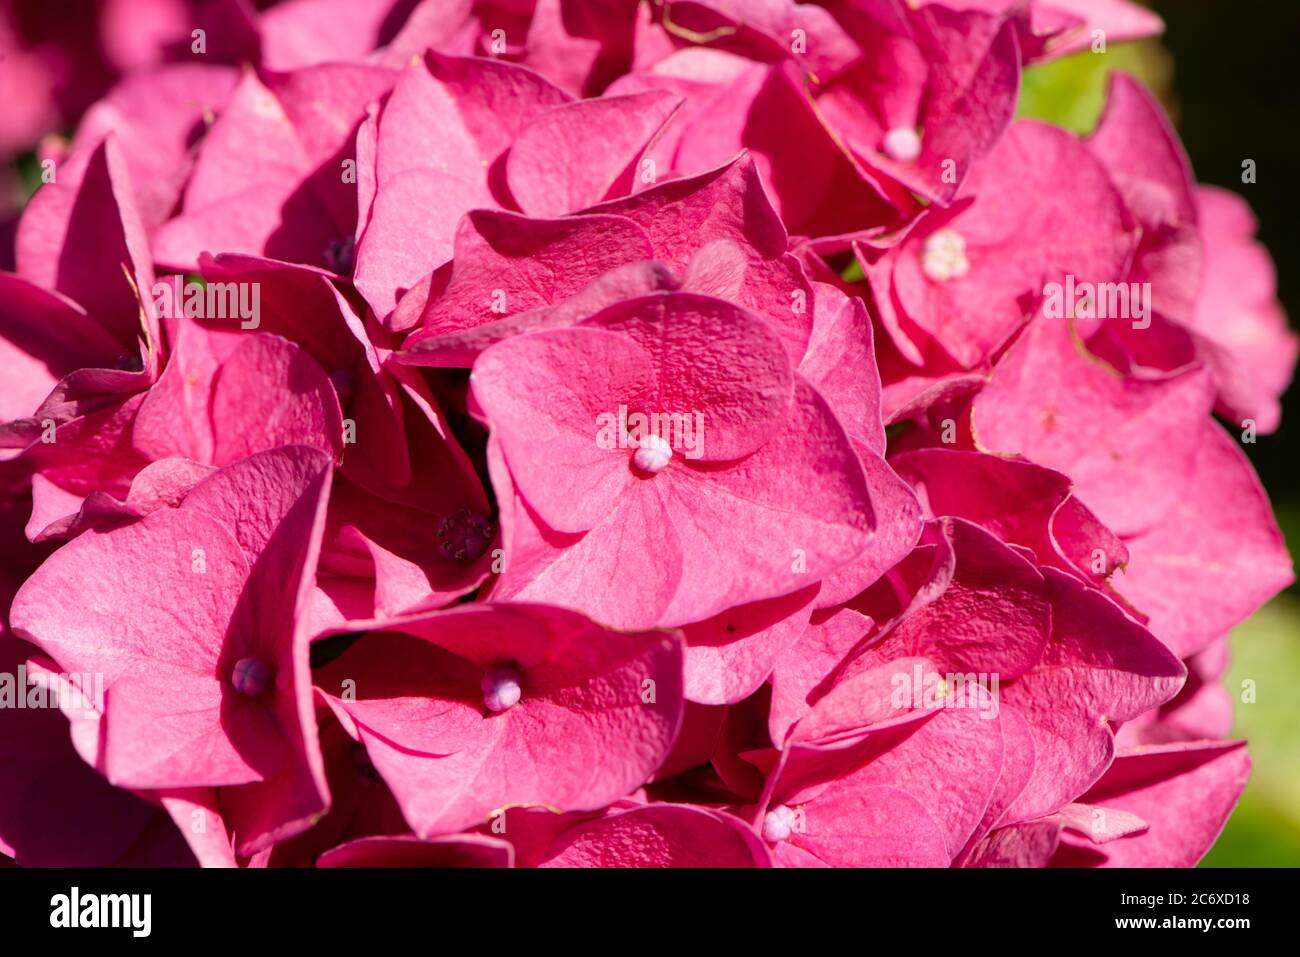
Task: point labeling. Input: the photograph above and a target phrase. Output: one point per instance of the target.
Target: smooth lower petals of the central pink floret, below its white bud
(708, 539)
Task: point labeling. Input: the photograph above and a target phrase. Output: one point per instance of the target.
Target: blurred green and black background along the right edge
(1227, 72)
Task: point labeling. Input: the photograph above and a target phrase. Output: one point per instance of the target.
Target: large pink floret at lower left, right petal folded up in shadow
(172, 718)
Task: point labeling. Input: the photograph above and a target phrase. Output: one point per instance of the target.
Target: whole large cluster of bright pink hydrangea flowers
(614, 434)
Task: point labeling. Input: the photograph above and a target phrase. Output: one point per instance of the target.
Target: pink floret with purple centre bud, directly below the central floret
(596, 713)
